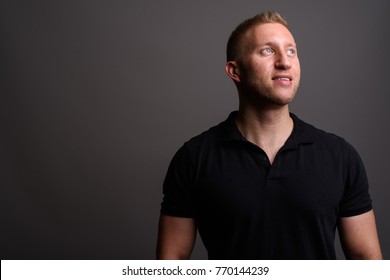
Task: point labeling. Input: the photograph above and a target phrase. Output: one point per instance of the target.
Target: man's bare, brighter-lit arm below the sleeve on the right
(358, 236)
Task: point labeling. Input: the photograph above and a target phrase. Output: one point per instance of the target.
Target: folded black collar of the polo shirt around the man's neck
(302, 132)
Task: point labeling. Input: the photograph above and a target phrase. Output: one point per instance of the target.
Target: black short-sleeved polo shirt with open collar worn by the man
(246, 208)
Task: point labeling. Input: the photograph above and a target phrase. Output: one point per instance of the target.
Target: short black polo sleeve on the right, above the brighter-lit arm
(356, 199)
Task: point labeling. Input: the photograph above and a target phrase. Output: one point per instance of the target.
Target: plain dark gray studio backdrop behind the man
(96, 97)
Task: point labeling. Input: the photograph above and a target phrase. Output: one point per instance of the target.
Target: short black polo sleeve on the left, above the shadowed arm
(178, 186)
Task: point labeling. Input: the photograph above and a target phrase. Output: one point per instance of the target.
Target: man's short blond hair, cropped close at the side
(233, 45)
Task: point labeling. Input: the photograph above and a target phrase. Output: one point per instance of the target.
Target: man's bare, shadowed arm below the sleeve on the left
(176, 237)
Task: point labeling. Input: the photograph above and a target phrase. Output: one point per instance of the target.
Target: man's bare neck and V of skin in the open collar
(268, 129)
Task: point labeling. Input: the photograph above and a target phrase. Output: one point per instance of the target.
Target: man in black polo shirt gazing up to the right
(264, 184)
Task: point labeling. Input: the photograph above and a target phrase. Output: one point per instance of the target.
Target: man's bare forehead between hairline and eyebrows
(265, 33)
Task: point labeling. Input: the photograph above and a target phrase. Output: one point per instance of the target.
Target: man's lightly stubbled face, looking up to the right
(269, 65)
